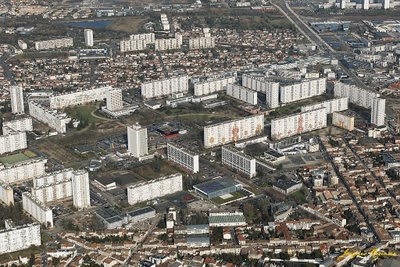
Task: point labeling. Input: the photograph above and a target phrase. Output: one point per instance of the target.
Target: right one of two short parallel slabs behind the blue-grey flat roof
(239, 161)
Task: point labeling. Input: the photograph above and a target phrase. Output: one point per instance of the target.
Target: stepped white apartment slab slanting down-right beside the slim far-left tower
(54, 119)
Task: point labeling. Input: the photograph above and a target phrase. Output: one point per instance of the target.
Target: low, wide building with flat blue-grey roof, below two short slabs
(217, 187)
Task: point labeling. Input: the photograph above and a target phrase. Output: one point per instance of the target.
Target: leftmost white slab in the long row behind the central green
(165, 87)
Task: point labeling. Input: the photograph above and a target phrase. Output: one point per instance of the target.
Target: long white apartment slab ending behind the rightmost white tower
(356, 95)
